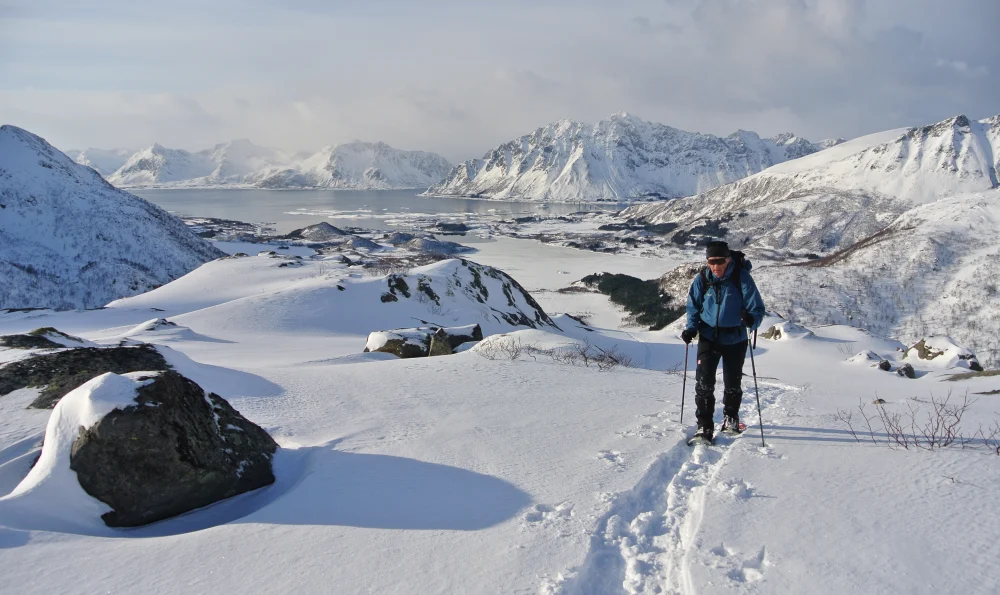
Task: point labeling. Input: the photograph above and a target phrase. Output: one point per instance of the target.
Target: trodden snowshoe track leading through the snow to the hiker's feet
(643, 544)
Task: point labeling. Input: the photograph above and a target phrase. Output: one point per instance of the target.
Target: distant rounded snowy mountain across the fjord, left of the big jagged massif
(357, 165)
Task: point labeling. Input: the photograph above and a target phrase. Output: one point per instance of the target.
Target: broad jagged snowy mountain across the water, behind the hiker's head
(620, 158)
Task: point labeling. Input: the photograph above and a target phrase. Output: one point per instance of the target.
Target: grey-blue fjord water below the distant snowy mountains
(286, 210)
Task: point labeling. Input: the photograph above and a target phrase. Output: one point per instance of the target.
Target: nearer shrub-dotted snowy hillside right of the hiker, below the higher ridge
(934, 270)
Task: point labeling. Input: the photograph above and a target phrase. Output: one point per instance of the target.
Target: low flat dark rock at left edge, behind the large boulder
(60, 372)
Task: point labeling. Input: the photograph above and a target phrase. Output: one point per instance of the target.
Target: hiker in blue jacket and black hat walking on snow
(723, 306)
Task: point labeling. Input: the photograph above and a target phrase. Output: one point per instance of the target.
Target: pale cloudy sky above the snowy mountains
(460, 77)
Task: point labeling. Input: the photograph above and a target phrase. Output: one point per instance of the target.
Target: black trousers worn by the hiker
(732, 356)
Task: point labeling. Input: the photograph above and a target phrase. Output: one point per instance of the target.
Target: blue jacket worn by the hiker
(715, 308)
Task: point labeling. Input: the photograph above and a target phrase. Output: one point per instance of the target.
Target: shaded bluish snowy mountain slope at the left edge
(68, 239)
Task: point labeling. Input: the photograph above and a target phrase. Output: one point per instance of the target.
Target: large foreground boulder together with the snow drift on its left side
(144, 446)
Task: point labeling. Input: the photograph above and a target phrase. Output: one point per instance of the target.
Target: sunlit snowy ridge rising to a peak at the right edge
(837, 197)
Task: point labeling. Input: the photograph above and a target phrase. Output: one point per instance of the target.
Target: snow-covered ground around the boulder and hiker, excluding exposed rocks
(466, 474)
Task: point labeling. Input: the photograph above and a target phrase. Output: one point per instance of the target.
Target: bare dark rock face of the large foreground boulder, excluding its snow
(178, 449)
